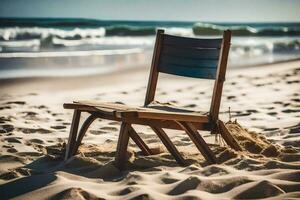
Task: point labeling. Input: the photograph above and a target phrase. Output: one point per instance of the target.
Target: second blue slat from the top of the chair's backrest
(191, 53)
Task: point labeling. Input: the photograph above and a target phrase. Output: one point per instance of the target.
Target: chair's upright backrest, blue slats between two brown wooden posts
(190, 57)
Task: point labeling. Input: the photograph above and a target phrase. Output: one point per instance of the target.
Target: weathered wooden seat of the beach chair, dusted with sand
(154, 110)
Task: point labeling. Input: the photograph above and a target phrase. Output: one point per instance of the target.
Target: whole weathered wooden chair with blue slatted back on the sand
(190, 57)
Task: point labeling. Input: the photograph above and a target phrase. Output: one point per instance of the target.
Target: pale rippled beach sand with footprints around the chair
(264, 117)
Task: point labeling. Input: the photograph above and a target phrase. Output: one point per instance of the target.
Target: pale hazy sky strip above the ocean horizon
(163, 10)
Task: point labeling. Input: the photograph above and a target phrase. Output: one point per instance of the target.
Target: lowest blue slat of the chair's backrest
(194, 72)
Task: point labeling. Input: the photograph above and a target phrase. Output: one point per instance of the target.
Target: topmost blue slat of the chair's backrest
(192, 42)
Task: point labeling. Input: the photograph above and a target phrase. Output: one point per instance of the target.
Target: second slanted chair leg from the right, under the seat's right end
(199, 141)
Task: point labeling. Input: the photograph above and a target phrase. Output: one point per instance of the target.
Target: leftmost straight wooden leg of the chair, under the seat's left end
(73, 133)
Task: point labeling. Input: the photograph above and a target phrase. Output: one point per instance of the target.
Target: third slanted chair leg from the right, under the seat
(169, 145)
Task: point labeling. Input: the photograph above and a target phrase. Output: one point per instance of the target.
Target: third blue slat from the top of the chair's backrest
(201, 63)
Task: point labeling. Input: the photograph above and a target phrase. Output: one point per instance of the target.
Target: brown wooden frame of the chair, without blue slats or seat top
(158, 121)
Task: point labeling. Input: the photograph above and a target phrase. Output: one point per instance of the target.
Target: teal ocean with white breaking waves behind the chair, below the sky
(33, 47)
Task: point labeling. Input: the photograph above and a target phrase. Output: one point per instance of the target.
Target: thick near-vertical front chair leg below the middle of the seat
(121, 153)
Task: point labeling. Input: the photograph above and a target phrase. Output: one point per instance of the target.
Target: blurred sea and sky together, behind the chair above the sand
(76, 38)
